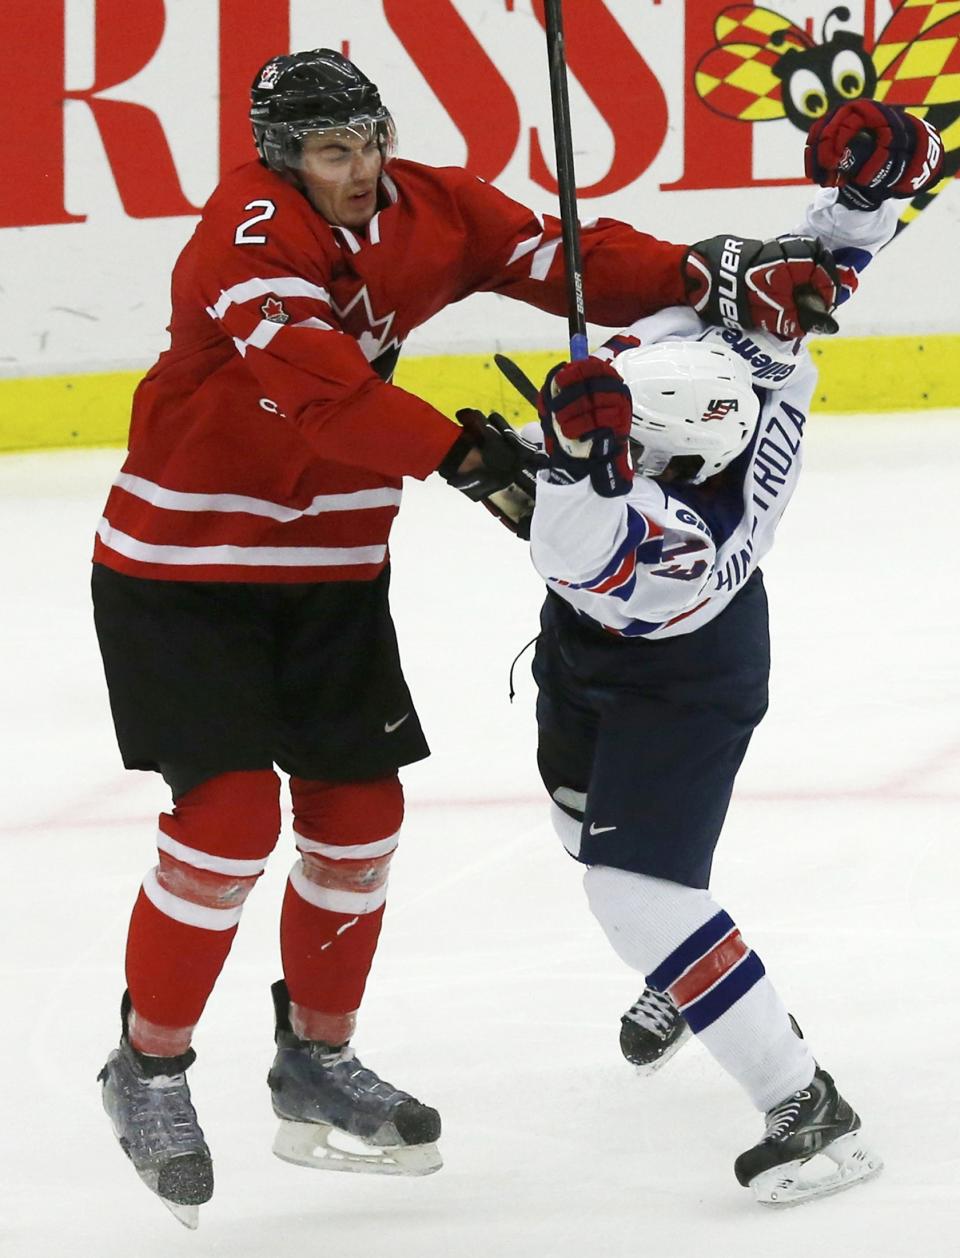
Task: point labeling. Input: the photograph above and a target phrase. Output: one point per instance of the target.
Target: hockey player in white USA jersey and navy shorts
(674, 455)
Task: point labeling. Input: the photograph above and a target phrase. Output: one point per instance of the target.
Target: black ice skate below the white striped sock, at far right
(784, 1169)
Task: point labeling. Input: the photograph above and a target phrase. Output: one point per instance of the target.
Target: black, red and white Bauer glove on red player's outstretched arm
(786, 287)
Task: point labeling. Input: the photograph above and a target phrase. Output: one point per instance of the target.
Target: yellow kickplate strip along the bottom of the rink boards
(869, 374)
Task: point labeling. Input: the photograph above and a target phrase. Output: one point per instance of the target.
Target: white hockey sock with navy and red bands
(685, 944)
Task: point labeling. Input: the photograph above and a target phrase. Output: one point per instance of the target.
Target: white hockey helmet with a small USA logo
(691, 399)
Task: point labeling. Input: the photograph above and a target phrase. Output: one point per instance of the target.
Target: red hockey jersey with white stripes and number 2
(267, 445)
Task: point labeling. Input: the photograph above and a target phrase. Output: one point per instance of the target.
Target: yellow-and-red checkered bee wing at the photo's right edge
(924, 72)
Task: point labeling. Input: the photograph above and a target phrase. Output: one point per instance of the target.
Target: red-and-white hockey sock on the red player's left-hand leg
(213, 847)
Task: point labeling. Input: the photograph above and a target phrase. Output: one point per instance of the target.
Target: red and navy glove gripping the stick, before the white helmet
(586, 412)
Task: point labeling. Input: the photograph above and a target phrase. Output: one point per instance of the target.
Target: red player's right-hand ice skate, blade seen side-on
(338, 1115)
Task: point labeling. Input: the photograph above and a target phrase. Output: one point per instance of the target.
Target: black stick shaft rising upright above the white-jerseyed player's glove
(564, 148)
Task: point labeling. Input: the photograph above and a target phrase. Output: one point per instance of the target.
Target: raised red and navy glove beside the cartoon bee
(873, 152)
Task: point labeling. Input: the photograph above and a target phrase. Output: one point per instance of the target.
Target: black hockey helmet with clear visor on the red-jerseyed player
(320, 90)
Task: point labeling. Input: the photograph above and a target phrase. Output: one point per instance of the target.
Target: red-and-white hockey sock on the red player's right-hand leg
(334, 905)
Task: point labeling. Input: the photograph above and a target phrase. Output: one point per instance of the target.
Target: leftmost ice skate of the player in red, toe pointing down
(148, 1100)
